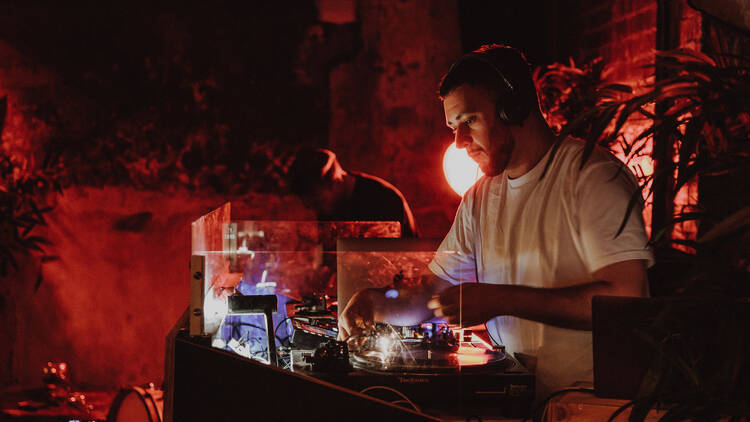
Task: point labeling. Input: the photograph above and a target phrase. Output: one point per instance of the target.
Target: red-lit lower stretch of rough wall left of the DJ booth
(120, 284)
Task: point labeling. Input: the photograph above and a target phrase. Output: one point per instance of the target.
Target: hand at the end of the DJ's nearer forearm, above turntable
(467, 304)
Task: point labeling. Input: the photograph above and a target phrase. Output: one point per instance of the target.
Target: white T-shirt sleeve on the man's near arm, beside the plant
(603, 194)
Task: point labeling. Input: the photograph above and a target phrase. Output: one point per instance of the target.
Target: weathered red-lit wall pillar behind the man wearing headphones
(386, 118)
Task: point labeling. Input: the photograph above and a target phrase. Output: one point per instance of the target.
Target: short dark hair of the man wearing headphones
(486, 67)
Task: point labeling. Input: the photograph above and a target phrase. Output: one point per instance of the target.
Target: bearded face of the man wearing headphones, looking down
(470, 113)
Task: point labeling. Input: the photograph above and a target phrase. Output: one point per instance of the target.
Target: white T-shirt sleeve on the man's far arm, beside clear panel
(455, 260)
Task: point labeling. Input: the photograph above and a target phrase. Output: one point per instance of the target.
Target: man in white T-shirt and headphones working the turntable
(534, 240)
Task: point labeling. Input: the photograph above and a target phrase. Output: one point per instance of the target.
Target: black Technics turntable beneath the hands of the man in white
(434, 367)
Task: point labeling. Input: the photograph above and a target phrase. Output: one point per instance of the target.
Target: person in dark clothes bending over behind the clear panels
(337, 195)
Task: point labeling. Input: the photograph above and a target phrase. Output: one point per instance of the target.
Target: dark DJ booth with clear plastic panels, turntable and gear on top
(259, 340)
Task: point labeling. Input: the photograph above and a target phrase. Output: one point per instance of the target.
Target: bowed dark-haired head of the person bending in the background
(312, 168)
